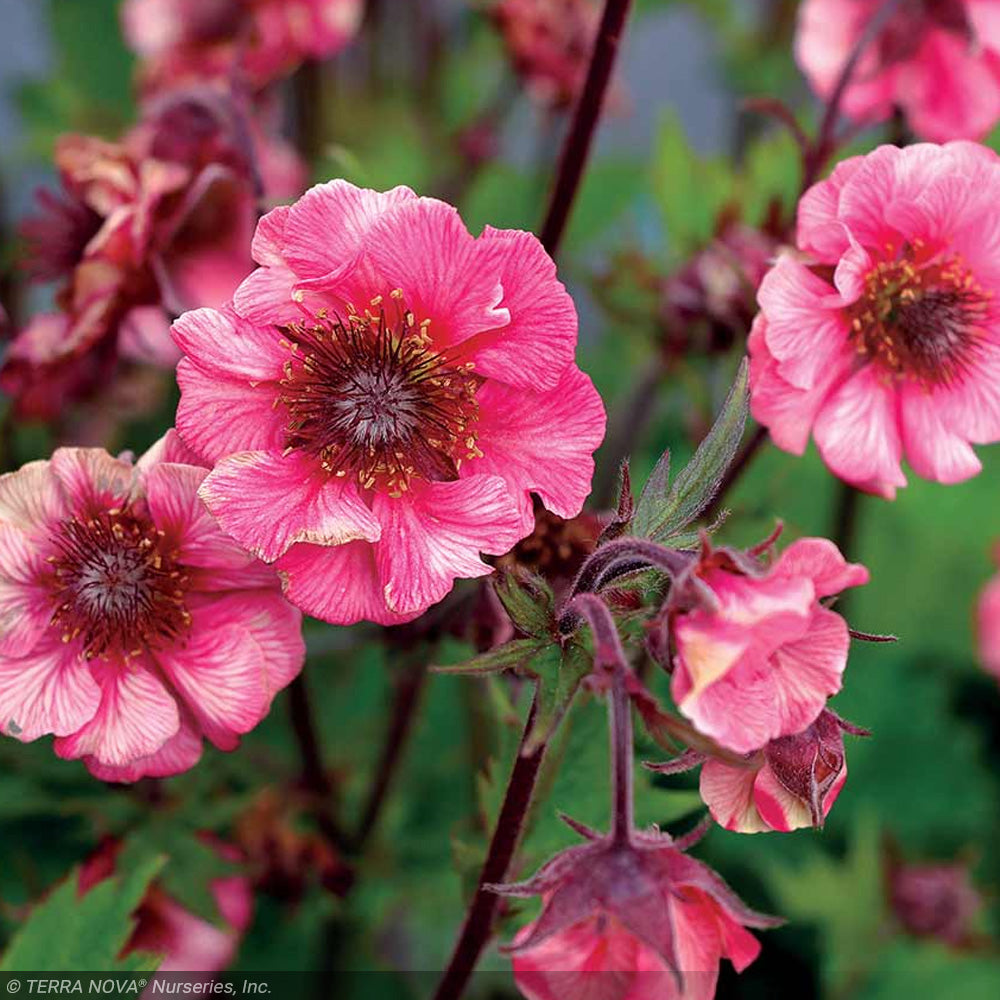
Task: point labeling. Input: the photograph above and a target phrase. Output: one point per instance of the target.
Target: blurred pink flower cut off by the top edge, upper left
(249, 41)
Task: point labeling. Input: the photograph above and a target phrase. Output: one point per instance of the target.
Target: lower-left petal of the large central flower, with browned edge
(268, 502)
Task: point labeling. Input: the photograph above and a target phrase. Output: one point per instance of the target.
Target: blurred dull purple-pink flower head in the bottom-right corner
(935, 900)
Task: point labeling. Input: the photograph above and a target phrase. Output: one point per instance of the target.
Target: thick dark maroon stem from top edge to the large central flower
(573, 159)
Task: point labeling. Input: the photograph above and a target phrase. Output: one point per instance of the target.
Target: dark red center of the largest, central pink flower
(372, 399)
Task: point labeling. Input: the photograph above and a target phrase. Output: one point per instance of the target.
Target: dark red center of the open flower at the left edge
(116, 585)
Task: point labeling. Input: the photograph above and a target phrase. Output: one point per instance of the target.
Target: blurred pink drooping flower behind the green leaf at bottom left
(186, 942)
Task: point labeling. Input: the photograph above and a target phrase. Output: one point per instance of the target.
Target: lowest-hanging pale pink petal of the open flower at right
(857, 432)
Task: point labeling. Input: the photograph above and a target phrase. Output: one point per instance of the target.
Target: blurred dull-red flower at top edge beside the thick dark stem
(549, 43)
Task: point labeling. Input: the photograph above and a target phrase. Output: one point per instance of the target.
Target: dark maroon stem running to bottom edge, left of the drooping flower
(479, 919)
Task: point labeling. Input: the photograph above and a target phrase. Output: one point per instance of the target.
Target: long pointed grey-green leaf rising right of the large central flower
(666, 516)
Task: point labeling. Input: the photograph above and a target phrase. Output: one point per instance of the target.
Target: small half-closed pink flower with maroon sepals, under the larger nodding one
(791, 783)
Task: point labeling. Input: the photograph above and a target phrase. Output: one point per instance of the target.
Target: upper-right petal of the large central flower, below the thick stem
(543, 325)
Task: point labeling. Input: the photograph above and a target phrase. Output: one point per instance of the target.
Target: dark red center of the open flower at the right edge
(920, 320)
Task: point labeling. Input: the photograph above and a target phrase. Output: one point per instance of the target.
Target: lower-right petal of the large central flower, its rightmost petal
(542, 442)
